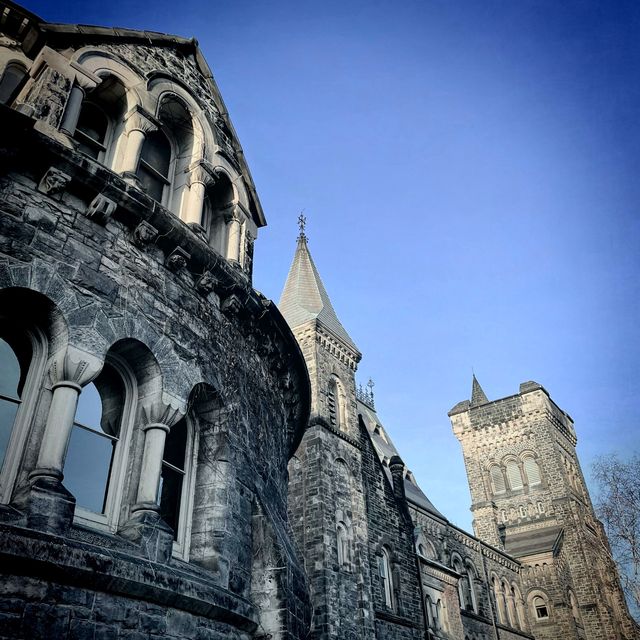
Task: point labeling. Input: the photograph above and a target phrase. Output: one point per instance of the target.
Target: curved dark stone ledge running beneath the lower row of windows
(67, 561)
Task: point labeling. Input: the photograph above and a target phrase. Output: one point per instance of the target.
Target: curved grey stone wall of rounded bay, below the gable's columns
(108, 285)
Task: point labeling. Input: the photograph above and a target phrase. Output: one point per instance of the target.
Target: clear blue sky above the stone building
(469, 171)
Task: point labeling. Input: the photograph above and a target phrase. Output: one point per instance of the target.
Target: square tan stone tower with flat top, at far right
(529, 498)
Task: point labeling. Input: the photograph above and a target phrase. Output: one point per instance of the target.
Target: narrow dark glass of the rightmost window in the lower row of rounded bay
(173, 471)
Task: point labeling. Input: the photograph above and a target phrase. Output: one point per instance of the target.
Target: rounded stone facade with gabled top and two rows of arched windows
(127, 217)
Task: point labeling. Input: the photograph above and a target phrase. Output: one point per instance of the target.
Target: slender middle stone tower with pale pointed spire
(326, 497)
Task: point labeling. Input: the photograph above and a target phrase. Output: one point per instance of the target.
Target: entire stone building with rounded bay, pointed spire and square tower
(179, 458)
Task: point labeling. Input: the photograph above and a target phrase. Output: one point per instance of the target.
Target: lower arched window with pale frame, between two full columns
(95, 460)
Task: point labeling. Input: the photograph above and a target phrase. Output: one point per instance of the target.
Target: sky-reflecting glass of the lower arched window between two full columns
(93, 440)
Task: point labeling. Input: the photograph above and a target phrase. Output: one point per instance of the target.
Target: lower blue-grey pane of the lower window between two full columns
(87, 468)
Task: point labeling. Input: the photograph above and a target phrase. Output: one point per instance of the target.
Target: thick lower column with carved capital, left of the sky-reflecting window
(51, 506)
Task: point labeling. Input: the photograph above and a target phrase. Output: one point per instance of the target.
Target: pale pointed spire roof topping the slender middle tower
(304, 297)
